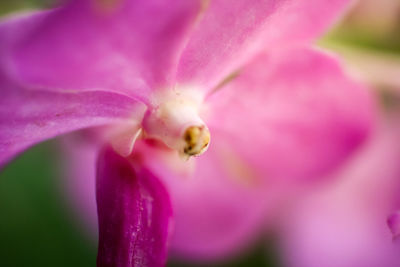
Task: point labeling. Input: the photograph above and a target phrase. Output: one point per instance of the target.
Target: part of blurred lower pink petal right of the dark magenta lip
(217, 212)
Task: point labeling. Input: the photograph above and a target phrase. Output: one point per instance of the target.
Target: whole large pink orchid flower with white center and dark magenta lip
(156, 80)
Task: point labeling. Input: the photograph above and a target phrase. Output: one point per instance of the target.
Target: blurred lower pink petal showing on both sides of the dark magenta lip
(217, 211)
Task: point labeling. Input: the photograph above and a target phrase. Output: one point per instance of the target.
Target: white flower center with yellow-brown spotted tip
(175, 120)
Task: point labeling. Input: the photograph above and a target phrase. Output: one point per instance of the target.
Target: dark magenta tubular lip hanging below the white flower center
(134, 214)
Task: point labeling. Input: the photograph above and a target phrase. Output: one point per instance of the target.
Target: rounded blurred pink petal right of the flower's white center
(292, 114)
